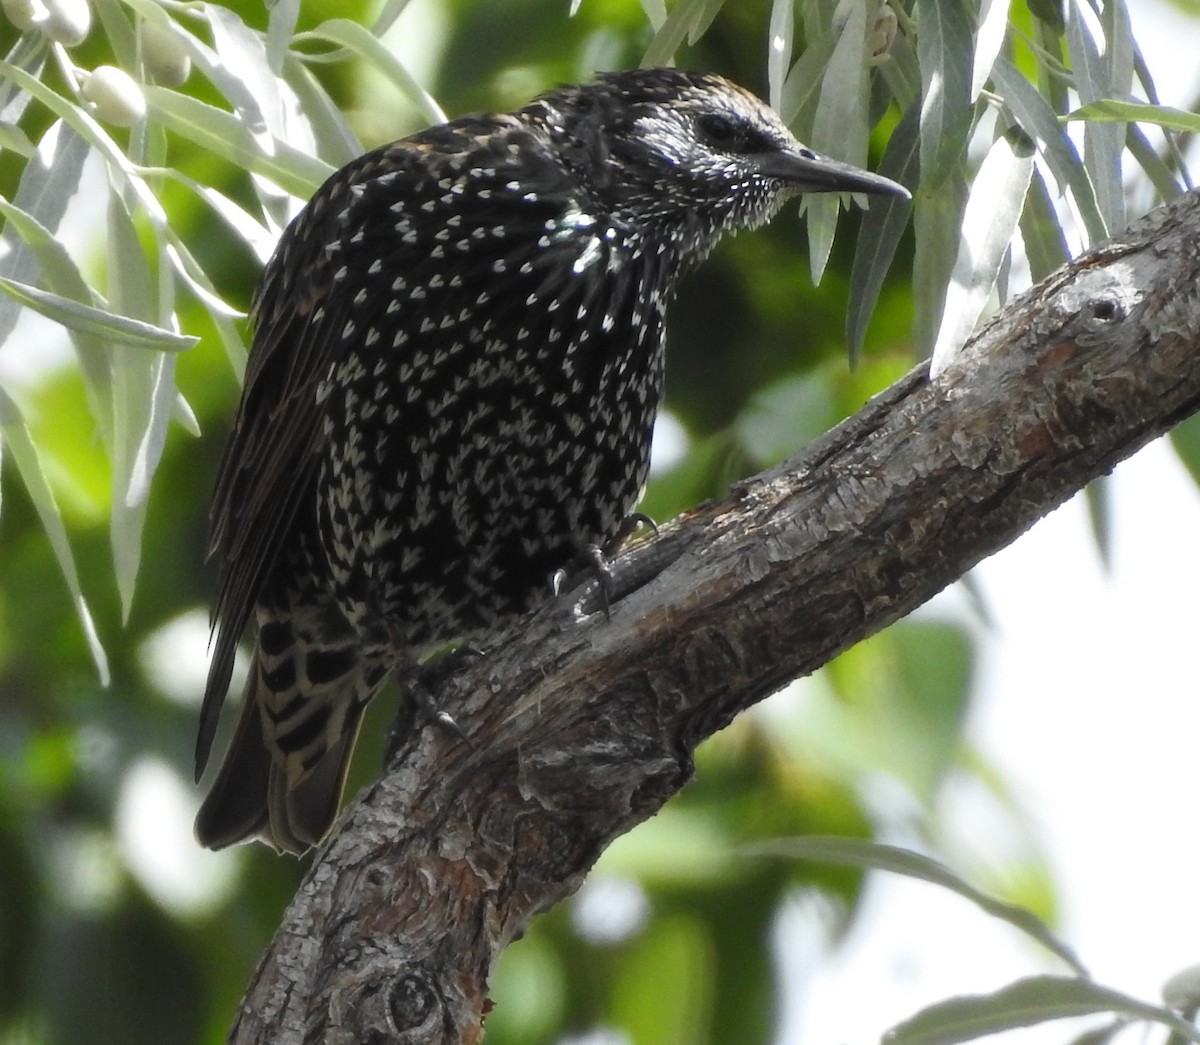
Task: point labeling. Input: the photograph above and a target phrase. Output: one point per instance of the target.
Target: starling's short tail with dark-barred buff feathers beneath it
(281, 780)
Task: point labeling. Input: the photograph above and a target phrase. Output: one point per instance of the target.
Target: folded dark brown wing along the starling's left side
(271, 460)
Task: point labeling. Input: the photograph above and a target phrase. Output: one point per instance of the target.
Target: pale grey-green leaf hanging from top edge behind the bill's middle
(839, 130)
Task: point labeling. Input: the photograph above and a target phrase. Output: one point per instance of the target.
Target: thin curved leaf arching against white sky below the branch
(874, 856)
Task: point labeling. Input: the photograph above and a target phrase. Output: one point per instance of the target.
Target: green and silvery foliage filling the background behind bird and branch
(137, 212)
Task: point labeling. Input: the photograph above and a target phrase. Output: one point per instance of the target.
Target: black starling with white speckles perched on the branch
(457, 362)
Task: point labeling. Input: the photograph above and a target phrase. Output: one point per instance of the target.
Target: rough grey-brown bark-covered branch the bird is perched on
(583, 726)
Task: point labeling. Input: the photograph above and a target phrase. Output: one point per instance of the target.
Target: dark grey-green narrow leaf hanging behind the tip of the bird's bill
(881, 230)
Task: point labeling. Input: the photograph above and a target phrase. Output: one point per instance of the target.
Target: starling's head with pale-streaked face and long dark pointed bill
(692, 149)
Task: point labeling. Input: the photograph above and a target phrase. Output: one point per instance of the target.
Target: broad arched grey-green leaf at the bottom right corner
(1024, 1004)
